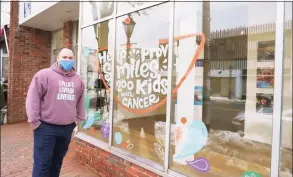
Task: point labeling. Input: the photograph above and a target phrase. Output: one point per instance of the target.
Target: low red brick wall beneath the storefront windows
(106, 164)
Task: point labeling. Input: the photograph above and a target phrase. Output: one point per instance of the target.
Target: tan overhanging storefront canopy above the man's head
(53, 17)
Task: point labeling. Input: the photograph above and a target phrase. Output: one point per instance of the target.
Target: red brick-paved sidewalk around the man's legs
(17, 153)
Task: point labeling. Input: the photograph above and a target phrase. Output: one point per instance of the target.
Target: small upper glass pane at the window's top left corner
(96, 10)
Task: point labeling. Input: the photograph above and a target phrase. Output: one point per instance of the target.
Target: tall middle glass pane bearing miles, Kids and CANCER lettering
(141, 83)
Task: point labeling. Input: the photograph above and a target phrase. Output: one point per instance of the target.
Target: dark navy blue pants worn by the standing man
(51, 144)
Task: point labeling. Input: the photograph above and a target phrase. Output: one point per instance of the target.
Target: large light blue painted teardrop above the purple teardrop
(196, 139)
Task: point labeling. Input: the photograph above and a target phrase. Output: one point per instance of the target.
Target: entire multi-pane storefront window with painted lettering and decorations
(222, 85)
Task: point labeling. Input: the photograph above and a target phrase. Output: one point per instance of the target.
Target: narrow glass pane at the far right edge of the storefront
(286, 158)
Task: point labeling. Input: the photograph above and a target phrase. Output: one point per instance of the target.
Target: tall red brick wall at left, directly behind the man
(29, 51)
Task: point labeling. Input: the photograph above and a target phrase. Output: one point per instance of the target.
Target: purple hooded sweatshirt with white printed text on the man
(55, 97)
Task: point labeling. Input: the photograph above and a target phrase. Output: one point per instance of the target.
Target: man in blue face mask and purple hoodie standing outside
(54, 106)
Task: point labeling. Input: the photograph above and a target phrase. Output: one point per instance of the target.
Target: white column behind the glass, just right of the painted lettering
(185, 96)
